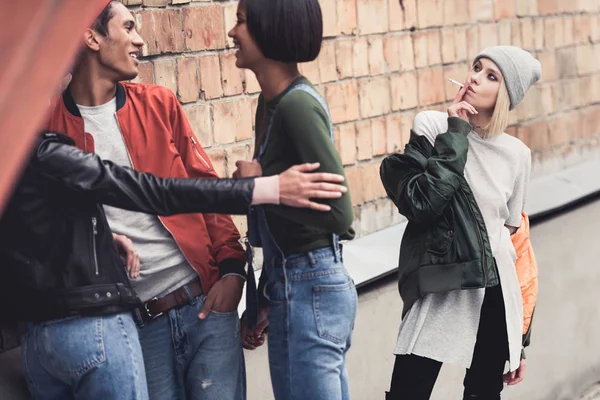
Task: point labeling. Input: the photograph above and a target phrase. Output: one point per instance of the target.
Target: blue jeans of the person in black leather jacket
(85, 358)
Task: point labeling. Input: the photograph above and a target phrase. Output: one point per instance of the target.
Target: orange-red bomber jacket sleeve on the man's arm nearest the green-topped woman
(223, 233)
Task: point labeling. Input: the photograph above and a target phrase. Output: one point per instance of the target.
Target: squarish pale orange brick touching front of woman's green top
(232, 121)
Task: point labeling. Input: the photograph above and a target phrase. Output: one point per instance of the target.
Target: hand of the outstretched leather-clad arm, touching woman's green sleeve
(297, 185)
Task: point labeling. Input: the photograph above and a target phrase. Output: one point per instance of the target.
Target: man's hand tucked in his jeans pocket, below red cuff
(224, 296)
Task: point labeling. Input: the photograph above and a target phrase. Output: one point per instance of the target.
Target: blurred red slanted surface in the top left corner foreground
(38, 41)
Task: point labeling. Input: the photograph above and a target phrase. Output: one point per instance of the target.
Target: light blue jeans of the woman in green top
(312, 306)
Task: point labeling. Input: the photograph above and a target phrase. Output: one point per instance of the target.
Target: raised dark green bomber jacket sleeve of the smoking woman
(421, 185)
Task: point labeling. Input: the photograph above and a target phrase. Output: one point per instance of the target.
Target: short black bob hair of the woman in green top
(286, 30)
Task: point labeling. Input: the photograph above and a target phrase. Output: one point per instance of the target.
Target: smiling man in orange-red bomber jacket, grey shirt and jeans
(192, 266)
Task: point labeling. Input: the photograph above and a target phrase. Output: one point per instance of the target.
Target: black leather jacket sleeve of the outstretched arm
(87, 176)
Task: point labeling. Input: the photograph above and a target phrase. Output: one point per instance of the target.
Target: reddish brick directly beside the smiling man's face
(161, 30)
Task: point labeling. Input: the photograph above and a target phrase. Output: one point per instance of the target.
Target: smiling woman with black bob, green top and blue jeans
(309, 299)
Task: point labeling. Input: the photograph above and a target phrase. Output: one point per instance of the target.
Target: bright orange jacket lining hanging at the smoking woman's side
(527, 272)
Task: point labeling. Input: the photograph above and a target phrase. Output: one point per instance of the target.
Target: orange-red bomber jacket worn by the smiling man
(160, 140)
